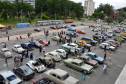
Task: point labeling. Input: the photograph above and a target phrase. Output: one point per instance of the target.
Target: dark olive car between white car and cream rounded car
(46, 61)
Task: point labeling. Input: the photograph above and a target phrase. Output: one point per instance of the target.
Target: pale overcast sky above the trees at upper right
(115, 3)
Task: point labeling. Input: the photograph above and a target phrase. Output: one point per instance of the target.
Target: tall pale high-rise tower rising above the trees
(89, 7)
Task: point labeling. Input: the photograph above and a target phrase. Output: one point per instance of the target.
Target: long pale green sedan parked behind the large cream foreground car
(79, 65)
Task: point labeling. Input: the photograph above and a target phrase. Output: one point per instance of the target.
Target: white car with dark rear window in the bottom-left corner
(8, 77)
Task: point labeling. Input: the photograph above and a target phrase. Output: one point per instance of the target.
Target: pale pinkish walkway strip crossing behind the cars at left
(24, 36)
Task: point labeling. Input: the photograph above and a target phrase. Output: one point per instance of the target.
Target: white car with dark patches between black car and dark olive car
(36, 66)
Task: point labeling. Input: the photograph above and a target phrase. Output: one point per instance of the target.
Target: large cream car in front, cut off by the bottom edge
(61, 77)
